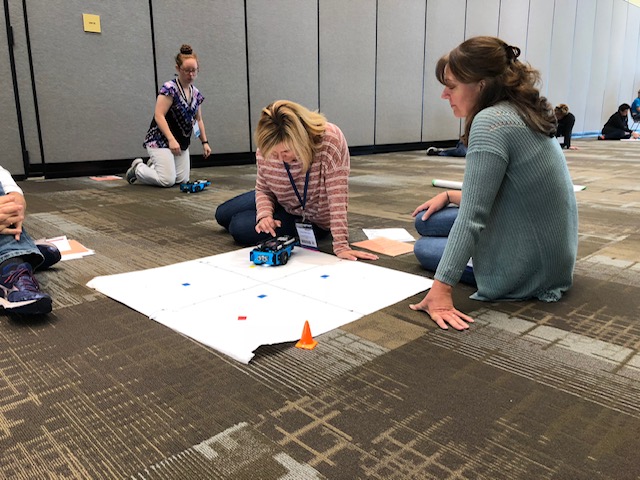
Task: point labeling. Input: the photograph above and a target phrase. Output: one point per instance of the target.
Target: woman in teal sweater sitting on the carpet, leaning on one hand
(516, 215)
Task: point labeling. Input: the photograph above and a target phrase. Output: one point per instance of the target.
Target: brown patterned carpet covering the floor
(531, 391)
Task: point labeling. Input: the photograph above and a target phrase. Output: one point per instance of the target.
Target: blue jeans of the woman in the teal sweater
(434, 232)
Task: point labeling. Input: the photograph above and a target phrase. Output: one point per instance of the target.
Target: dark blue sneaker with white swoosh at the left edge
(20, 292)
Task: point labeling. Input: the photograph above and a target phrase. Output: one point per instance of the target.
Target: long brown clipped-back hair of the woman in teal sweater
(505, 78)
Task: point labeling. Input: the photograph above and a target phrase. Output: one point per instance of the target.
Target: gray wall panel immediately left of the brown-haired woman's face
(445, 30)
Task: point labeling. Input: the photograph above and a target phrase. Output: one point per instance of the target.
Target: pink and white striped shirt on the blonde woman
(327, 193)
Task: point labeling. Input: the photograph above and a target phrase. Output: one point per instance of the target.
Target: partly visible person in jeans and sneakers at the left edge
(19, 255)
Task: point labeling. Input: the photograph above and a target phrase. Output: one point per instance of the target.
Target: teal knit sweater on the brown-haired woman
(518, 217)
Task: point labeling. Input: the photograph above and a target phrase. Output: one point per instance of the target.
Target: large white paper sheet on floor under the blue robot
(228, 303)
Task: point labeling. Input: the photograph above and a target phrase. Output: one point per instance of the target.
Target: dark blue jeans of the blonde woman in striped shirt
(238, 216)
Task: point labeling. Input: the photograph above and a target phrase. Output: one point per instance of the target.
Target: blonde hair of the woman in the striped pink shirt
(290, 123)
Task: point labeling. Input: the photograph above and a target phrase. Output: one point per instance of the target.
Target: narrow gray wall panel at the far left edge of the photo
(9, 132)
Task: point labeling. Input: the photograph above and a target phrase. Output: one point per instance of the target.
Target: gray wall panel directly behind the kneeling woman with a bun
(215, 30)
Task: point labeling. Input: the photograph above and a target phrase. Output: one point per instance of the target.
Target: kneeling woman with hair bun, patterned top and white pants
(169, 136)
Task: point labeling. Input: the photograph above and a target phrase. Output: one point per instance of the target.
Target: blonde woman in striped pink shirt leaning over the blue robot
(302, 183)
